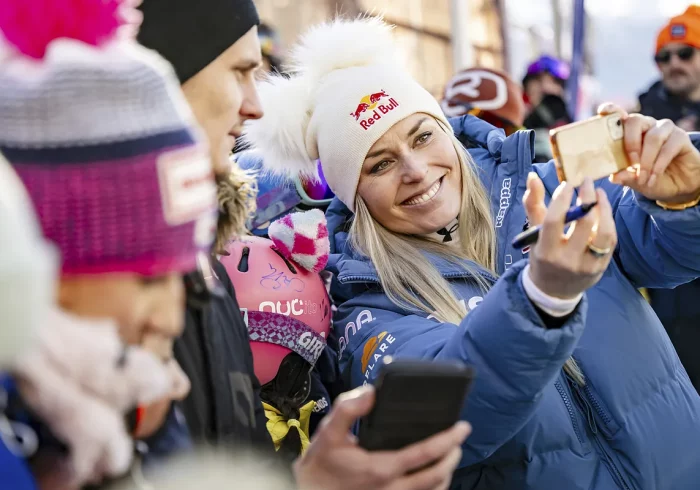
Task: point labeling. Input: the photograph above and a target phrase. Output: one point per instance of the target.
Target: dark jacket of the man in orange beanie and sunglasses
(678, 309)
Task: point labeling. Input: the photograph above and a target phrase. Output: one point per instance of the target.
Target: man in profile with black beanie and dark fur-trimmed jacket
(217, 77)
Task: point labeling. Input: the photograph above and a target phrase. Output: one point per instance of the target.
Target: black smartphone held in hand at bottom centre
(414, 400)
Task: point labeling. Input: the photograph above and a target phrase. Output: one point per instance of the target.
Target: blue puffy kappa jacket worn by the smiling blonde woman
(636, 423)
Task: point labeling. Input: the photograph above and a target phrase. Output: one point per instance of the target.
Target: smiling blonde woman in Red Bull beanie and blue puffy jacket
(578, 386)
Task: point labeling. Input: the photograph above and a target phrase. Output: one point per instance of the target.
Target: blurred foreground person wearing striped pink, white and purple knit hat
(100, 135)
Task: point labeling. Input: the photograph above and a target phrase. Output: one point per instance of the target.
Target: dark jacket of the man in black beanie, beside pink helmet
(223, 407)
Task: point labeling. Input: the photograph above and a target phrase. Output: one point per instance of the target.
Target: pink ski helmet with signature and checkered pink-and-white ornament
(281, 294)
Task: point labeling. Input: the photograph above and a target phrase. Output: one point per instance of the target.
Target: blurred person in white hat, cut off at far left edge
(59, 374)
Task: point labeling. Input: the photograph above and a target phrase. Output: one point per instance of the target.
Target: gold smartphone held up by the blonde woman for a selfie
(591, 148)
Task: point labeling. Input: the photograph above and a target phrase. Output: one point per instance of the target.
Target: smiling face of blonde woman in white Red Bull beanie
(411, 178)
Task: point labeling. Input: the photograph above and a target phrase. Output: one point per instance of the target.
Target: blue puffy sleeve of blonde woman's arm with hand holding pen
(504, 339)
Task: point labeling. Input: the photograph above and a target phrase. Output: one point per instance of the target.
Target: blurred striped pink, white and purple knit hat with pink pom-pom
(98, 130)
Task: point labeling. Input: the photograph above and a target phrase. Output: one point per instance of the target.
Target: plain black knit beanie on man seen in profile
(190, 34)
